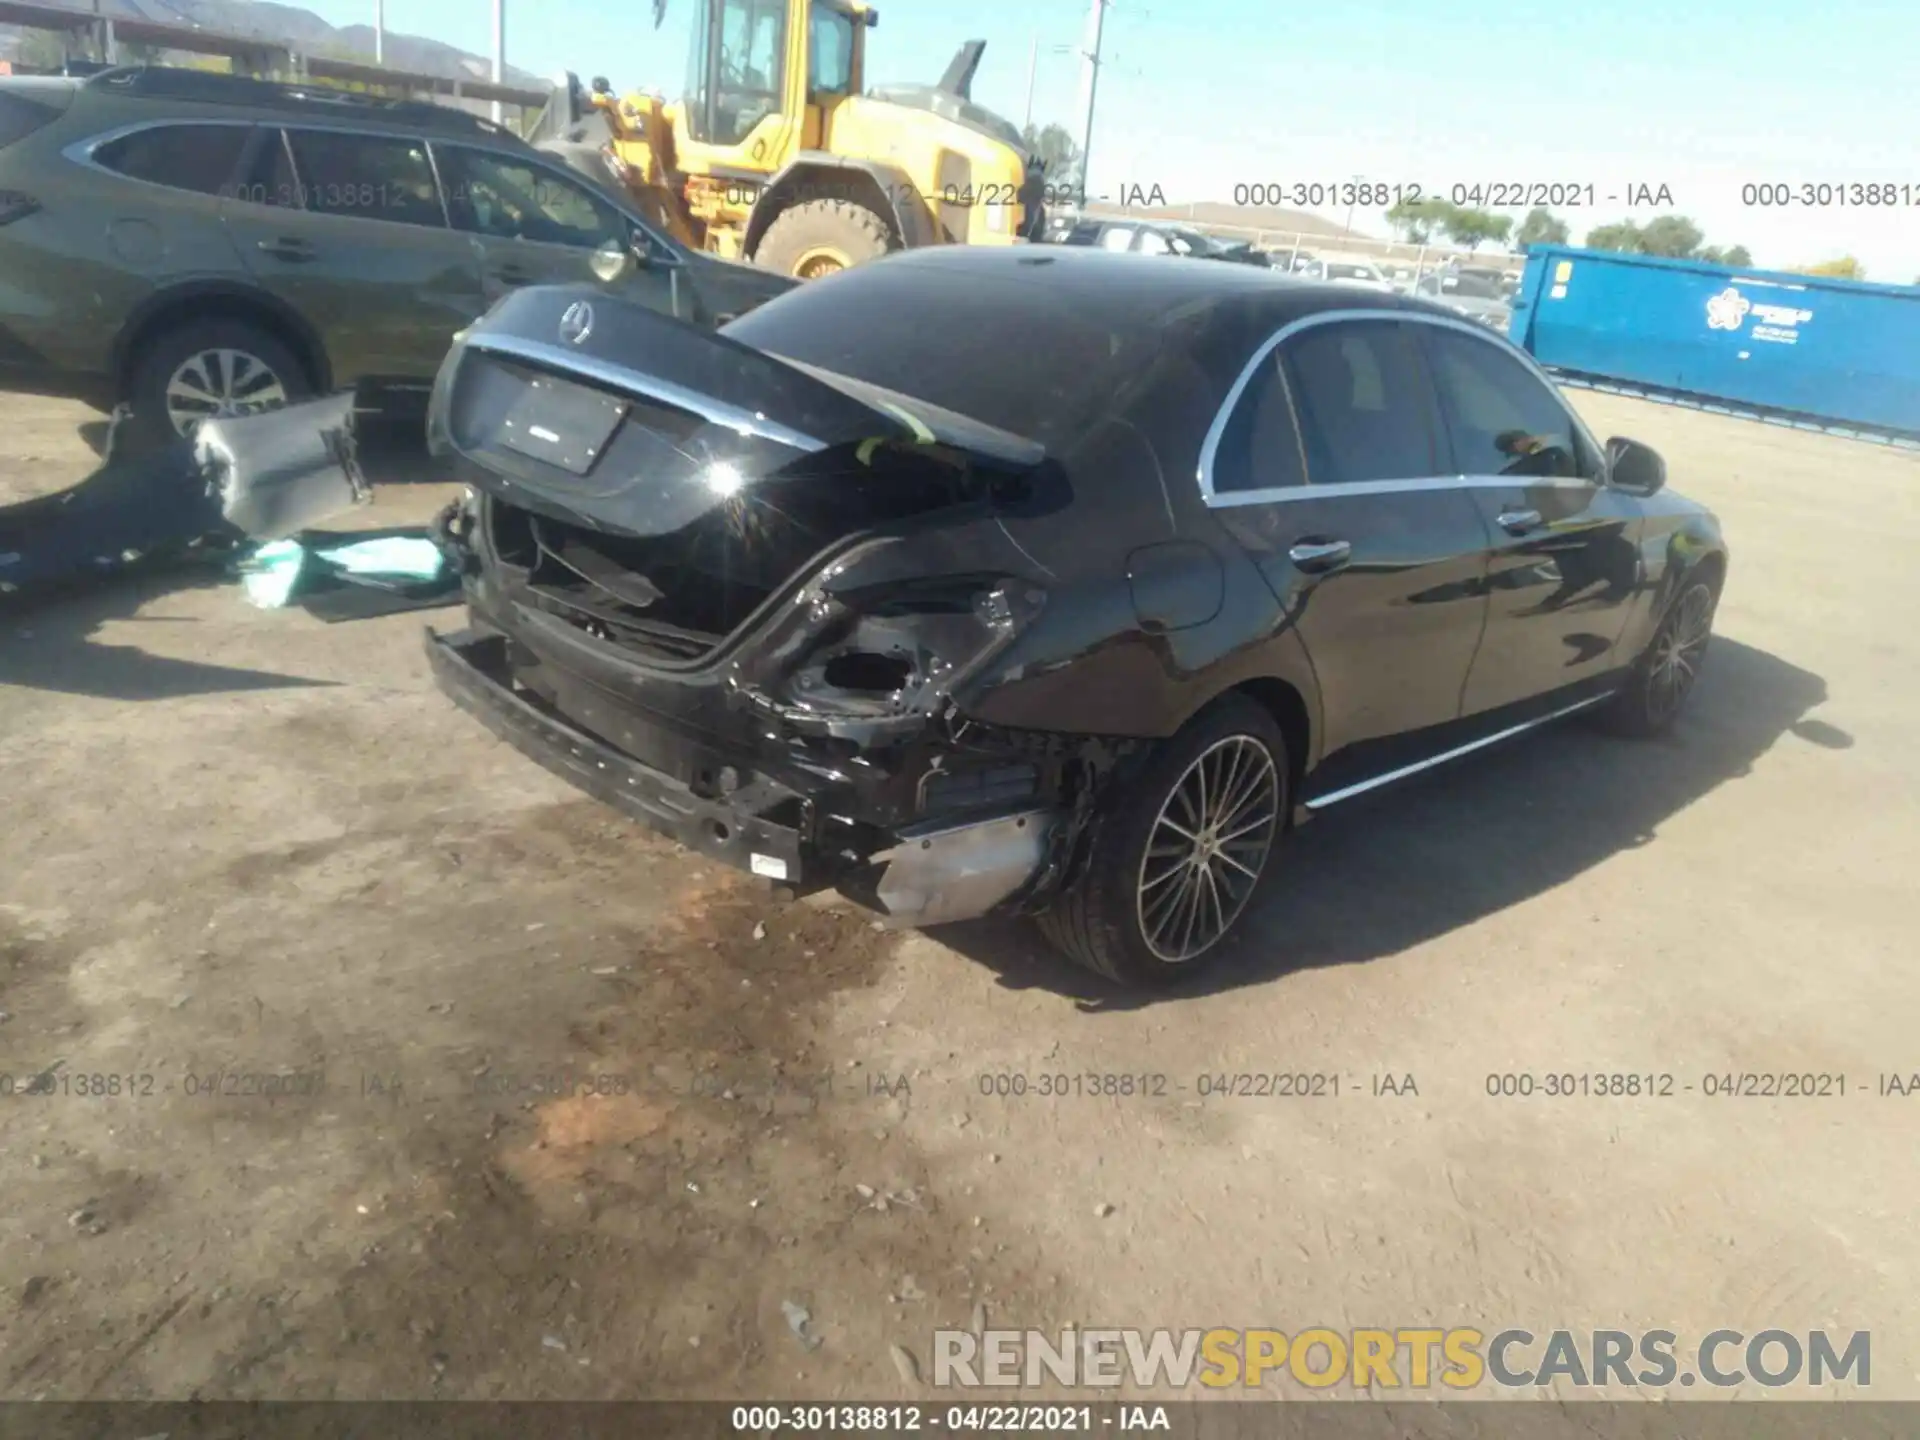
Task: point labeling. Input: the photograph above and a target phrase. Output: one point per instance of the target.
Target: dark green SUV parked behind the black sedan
(199, 245)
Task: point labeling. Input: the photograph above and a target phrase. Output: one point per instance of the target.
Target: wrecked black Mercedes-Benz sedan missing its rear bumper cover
(1042, 581)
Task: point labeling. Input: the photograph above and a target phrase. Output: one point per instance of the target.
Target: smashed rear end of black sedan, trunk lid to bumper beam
(746, 600)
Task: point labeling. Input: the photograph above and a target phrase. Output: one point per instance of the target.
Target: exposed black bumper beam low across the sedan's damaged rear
(471, 667)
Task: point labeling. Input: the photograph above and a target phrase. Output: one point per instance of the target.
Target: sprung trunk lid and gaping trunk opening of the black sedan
(656, 485)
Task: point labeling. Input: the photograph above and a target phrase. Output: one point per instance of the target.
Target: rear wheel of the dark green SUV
(208, 370)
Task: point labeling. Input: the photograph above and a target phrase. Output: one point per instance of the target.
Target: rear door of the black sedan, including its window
(1330, 471)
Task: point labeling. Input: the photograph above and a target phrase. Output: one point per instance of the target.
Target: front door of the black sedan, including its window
(1566, 548)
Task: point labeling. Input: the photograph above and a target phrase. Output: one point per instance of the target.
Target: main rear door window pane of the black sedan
(1364, 404)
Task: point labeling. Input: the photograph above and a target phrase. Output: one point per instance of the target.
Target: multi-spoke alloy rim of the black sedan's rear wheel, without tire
(1207, 850)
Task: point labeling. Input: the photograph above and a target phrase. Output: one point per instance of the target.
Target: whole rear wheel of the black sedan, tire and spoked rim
(1180, 852)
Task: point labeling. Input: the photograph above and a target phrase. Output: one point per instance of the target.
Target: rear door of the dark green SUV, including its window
(350, 231)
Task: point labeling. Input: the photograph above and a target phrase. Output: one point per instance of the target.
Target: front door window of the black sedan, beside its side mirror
(1502, 420)
